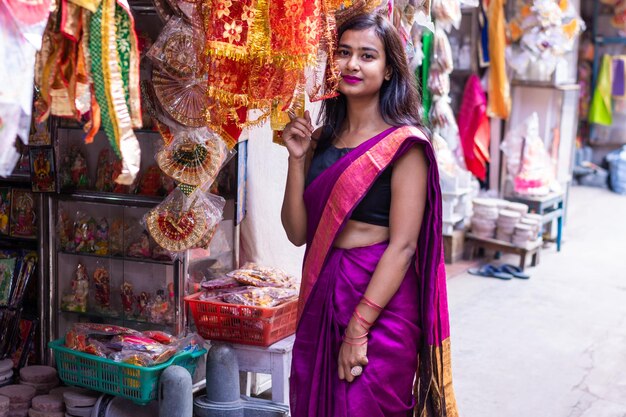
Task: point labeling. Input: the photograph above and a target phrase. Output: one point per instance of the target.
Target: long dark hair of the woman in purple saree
(399, 100)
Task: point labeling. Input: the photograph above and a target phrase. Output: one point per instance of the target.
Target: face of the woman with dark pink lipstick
(362, 63)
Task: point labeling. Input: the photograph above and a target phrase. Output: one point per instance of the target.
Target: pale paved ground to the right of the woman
(555, 345)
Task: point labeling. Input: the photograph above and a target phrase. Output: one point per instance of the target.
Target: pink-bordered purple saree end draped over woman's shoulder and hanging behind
(332, 197)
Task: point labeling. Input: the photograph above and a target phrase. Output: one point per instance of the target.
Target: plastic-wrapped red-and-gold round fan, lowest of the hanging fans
(180, 222)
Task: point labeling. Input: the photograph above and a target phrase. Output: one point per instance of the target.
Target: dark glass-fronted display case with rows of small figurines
(104, 267)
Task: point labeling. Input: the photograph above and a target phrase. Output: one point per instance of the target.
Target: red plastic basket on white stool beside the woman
(243, 324)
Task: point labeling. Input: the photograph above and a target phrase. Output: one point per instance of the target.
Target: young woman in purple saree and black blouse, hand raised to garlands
(363, 194)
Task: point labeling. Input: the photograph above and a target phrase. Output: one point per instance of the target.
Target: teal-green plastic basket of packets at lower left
(137, 383)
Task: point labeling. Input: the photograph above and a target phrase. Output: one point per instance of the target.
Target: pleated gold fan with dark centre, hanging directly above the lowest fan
(194, 157)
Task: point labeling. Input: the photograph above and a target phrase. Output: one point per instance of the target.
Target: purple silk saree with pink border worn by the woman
(412, 331)
